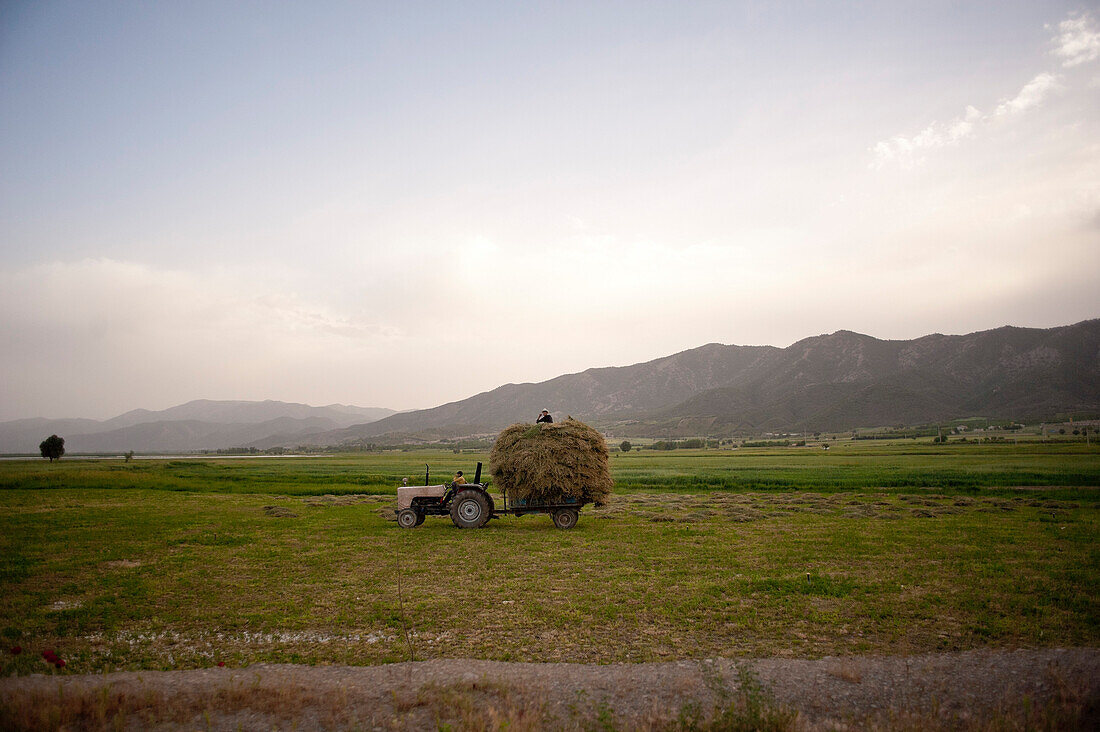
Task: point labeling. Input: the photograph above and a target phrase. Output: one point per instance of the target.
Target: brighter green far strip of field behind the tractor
(850, 466)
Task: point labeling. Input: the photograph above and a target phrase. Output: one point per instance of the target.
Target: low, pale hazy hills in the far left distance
(203, 424)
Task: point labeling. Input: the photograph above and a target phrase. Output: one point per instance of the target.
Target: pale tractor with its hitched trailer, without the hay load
(470, 506)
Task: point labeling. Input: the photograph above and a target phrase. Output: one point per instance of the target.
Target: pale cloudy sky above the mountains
(405, 204)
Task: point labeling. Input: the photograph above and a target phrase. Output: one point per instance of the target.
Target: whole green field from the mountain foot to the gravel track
(866, 549)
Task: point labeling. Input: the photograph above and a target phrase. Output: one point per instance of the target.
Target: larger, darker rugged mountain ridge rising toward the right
(837, 381)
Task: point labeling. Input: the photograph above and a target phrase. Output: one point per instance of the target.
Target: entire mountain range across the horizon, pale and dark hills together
(831, 383)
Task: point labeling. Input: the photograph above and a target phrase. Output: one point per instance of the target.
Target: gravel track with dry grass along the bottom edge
(981, 690)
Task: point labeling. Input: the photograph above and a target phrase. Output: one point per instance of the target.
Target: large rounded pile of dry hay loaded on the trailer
(545, 462)
